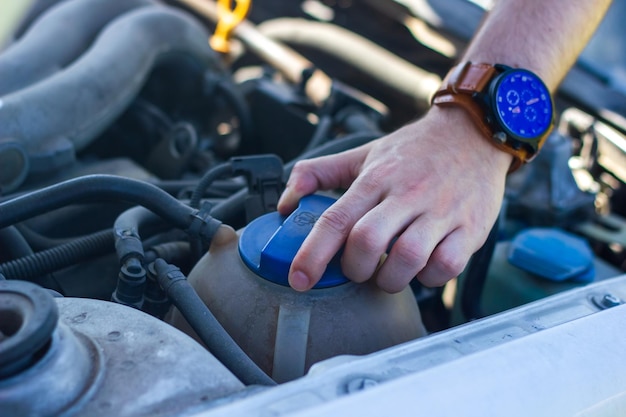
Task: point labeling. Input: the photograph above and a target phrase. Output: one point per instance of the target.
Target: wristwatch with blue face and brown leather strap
(512, 107)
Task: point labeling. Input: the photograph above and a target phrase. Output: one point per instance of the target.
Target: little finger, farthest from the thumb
(448, 259)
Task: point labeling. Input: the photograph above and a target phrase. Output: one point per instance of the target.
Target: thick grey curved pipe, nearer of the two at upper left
(52, 119)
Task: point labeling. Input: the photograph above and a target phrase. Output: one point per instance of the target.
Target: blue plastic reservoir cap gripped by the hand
(269, 243)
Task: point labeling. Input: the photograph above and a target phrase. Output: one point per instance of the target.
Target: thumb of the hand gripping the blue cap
(323, 173)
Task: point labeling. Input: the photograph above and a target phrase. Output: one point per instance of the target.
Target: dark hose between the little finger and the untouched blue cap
(476, 275)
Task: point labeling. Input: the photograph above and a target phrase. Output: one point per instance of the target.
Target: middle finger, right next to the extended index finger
(370, 237)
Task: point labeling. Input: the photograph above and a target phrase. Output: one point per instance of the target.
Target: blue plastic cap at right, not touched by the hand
(553, 254)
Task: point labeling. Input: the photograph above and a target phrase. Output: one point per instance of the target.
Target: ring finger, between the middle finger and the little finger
(410, 253)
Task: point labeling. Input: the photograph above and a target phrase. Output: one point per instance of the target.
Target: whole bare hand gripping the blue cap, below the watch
(436, 185)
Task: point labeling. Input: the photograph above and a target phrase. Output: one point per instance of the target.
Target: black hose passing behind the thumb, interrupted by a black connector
(232, 207)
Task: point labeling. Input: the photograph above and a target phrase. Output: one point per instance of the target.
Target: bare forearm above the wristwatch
(544, 36)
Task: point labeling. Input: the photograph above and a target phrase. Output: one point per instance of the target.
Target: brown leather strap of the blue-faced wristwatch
(457, 89)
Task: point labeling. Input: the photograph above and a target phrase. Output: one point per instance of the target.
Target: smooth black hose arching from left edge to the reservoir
(92, 188)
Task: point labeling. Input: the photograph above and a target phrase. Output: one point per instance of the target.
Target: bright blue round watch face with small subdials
(522, 104)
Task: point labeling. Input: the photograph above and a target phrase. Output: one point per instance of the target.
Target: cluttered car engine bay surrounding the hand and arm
(143, 263)
